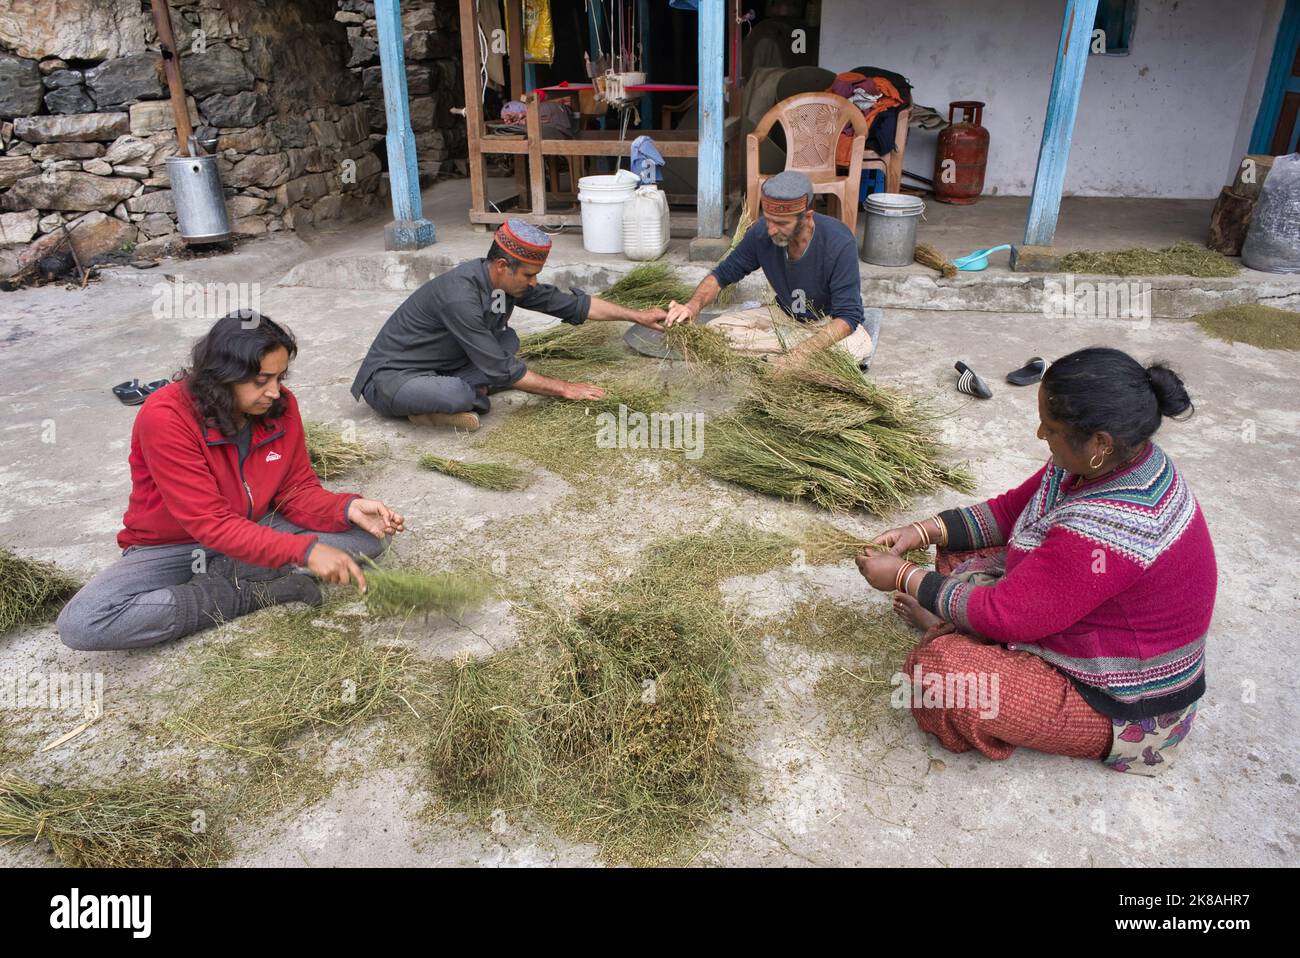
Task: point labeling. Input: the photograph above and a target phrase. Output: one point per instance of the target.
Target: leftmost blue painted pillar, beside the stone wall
(409, 231)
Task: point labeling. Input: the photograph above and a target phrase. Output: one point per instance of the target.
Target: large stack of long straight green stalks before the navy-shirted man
(824, 434)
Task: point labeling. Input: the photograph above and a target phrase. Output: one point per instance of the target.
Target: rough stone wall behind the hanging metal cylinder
(86, 127)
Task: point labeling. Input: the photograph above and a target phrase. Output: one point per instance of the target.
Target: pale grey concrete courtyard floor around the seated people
(892, 799)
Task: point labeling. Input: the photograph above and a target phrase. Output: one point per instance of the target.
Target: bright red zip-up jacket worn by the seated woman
(187, 484)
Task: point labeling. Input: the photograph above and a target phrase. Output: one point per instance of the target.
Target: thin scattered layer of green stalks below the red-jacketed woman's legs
(298, 674)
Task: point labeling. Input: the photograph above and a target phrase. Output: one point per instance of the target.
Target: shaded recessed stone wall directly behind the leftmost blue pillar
(435, 84)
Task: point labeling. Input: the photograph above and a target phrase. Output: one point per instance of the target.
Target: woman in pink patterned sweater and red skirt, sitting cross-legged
(1069, 614)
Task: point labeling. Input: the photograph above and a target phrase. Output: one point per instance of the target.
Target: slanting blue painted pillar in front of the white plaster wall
(1059, 124)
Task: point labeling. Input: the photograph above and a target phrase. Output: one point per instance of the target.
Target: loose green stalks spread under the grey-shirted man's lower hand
(561, 436)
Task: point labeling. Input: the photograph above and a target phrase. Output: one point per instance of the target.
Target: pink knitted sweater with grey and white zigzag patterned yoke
(1112, 582)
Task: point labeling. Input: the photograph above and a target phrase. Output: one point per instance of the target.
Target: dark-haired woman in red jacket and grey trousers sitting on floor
(226, 510)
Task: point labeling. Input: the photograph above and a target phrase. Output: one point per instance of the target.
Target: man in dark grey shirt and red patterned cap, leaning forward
(450, 344)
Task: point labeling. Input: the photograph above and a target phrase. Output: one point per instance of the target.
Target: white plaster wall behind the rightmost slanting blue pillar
(1172, 119)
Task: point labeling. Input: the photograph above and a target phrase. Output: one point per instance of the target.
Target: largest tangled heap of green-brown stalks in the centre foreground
(613, 722)
